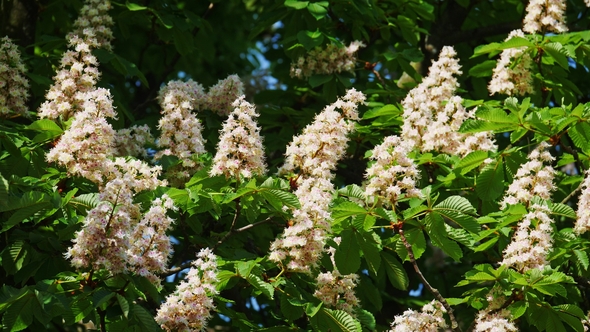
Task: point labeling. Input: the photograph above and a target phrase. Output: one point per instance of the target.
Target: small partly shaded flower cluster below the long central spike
(337, 290)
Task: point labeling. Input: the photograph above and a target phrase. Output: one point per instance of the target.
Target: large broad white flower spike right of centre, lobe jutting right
(433, 114)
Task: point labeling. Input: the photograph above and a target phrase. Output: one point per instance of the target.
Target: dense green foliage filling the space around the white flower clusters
(446, 243)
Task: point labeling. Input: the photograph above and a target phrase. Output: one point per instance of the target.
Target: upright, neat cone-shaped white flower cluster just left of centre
(240, 151)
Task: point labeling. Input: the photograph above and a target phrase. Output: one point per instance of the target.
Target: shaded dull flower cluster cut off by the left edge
(14, 86)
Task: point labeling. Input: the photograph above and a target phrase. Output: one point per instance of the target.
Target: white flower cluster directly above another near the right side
(533, 178)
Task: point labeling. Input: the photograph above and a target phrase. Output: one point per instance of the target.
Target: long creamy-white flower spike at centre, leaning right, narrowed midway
(314, 155)
